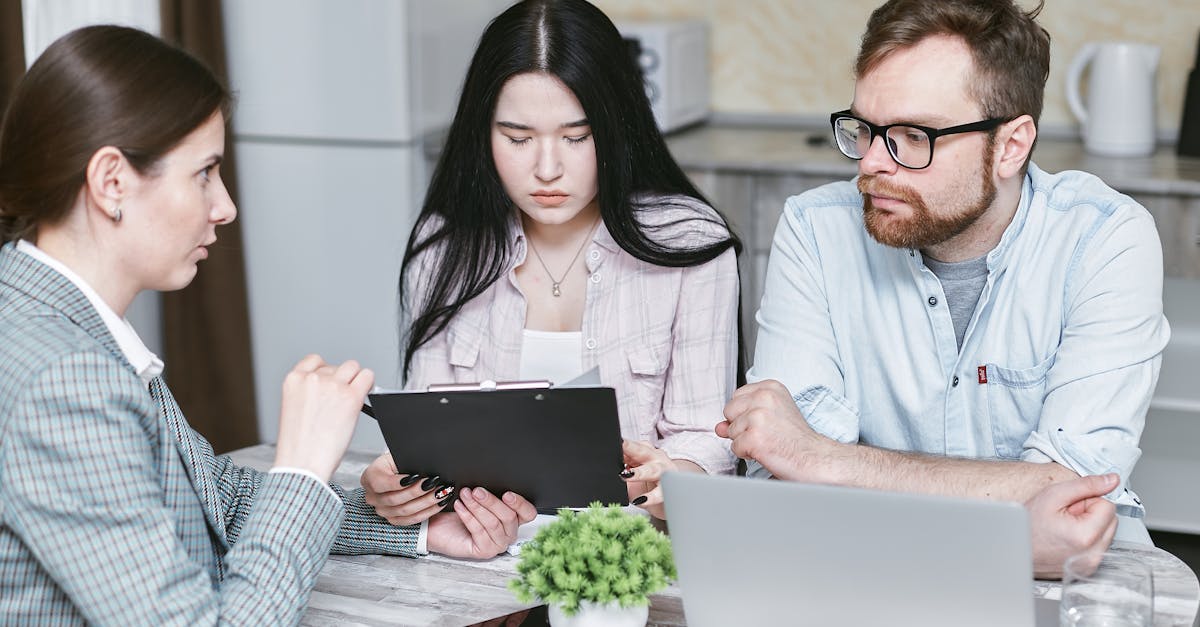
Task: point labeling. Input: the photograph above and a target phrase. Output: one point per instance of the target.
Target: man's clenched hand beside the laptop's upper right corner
(1069, 518)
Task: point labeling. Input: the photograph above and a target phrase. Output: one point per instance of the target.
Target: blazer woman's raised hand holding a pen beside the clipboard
(320, 410)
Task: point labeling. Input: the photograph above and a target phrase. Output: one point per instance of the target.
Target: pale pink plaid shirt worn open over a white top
(664, 338)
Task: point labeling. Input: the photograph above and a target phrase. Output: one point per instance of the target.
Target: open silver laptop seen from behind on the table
(754, 552)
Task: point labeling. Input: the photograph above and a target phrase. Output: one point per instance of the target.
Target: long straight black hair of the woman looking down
(467, 216)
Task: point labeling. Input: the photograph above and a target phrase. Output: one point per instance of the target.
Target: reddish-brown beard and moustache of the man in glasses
(922, 230)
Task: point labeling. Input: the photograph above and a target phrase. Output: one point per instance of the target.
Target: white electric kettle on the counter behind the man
(1120, 118)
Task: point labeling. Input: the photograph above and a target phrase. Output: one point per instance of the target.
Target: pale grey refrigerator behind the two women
(333, 104)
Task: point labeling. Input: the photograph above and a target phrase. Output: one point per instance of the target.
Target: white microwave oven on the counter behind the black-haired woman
(674, 58)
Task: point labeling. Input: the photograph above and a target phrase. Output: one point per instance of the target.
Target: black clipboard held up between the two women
(557, 447)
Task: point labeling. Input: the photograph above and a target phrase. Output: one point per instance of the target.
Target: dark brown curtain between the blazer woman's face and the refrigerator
(207, 326)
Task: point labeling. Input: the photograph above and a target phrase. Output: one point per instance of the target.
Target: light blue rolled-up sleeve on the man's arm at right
(1107, 366)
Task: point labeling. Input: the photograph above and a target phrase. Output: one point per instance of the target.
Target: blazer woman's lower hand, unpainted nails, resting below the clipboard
(481, 527)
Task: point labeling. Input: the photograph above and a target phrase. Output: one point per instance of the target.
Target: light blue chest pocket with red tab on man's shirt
(1015, 404)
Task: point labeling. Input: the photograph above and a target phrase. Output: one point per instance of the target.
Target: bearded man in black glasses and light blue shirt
(955, 321)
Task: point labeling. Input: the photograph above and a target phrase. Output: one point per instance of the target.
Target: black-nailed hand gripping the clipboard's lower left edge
(403, 499)
